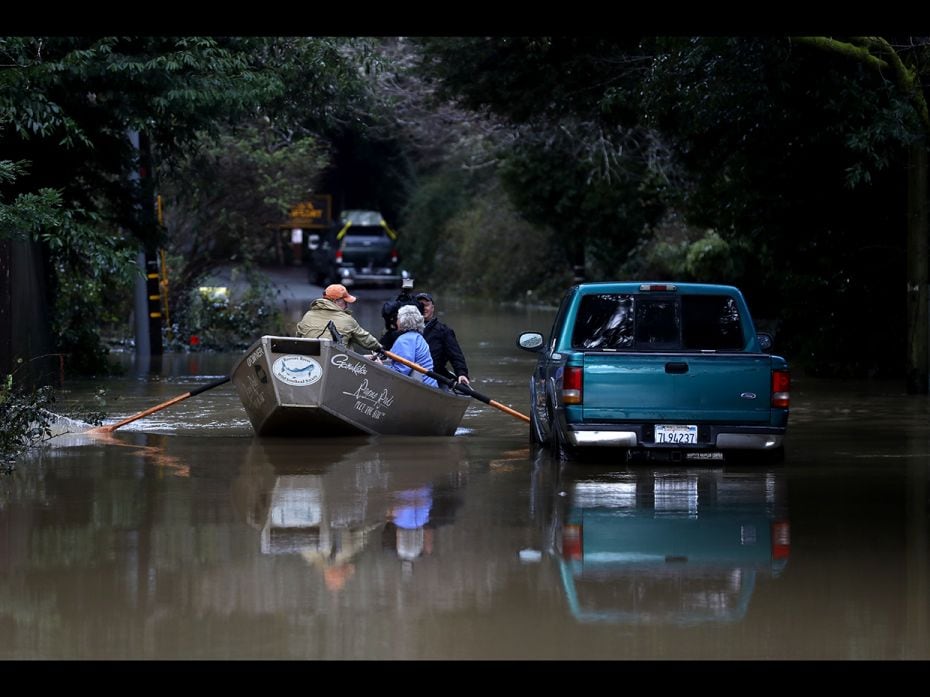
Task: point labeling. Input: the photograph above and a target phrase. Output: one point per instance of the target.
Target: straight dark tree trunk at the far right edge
(917, 270)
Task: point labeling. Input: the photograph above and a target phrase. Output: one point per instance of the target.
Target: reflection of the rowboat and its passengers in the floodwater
(329, 500)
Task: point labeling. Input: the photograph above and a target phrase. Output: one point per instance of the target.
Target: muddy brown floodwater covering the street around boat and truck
(183, 536)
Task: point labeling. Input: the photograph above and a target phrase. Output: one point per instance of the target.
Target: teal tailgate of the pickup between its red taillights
(679, 388)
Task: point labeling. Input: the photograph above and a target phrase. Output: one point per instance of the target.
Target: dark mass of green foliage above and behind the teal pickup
(790, 159)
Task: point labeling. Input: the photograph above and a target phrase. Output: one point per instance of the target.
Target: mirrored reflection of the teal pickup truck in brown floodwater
(669, 546)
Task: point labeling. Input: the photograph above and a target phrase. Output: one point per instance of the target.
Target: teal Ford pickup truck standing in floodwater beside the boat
(663, 371)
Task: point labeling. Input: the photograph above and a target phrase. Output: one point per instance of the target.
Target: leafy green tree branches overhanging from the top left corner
(69, 104)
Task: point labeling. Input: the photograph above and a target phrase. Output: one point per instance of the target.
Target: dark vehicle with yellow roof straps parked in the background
(366, 250)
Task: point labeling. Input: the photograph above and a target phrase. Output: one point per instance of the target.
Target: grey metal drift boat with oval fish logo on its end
(316, 387)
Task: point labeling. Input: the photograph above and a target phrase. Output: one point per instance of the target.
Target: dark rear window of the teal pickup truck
(658, 322)
